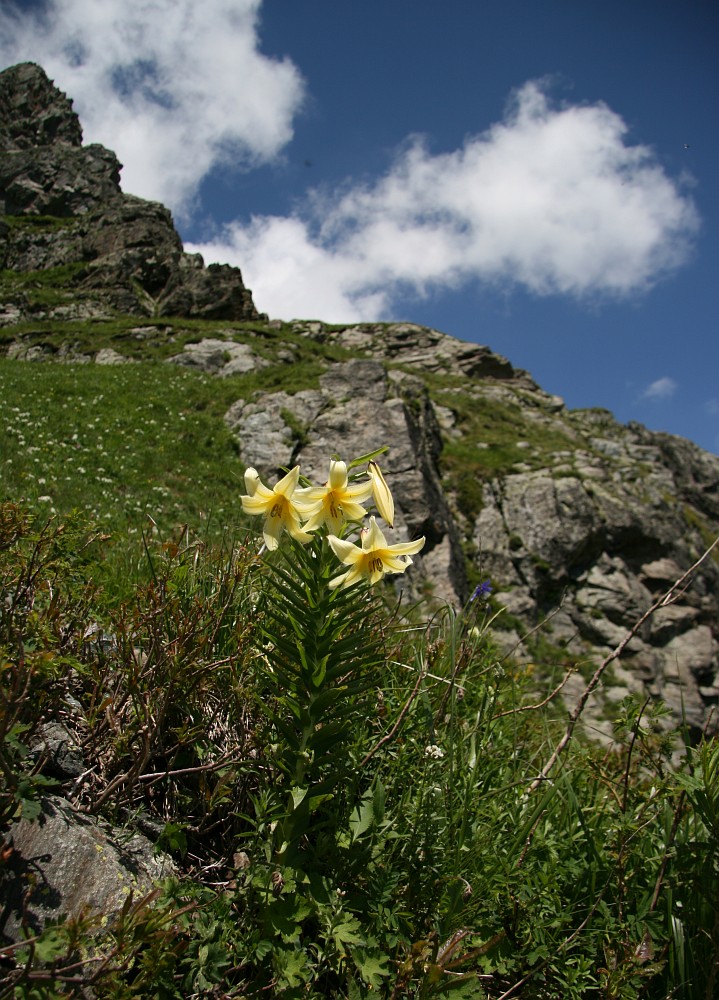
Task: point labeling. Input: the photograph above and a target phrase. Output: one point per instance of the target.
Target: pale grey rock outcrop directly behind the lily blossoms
(282, 430)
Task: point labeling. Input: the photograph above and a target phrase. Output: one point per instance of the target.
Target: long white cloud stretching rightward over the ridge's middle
(552, 198)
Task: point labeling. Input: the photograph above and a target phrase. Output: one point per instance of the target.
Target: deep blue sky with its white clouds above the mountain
(534, 175)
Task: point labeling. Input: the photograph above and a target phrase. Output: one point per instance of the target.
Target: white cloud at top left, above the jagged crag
(174, 87)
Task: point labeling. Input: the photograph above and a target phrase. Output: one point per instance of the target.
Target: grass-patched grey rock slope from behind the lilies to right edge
(600, 527)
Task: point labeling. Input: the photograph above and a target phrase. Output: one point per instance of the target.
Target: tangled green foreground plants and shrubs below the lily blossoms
(356, 803)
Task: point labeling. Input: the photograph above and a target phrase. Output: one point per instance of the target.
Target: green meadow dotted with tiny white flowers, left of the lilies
(122, 443)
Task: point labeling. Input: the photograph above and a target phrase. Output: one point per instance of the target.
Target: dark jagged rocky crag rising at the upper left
(128, 255)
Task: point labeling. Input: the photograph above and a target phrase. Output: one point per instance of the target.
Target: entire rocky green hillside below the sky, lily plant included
(492, 771)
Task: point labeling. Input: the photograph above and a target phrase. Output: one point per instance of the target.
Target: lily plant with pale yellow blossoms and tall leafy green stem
(321, 642)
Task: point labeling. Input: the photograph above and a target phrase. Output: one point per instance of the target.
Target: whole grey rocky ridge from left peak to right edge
(571, 515)
